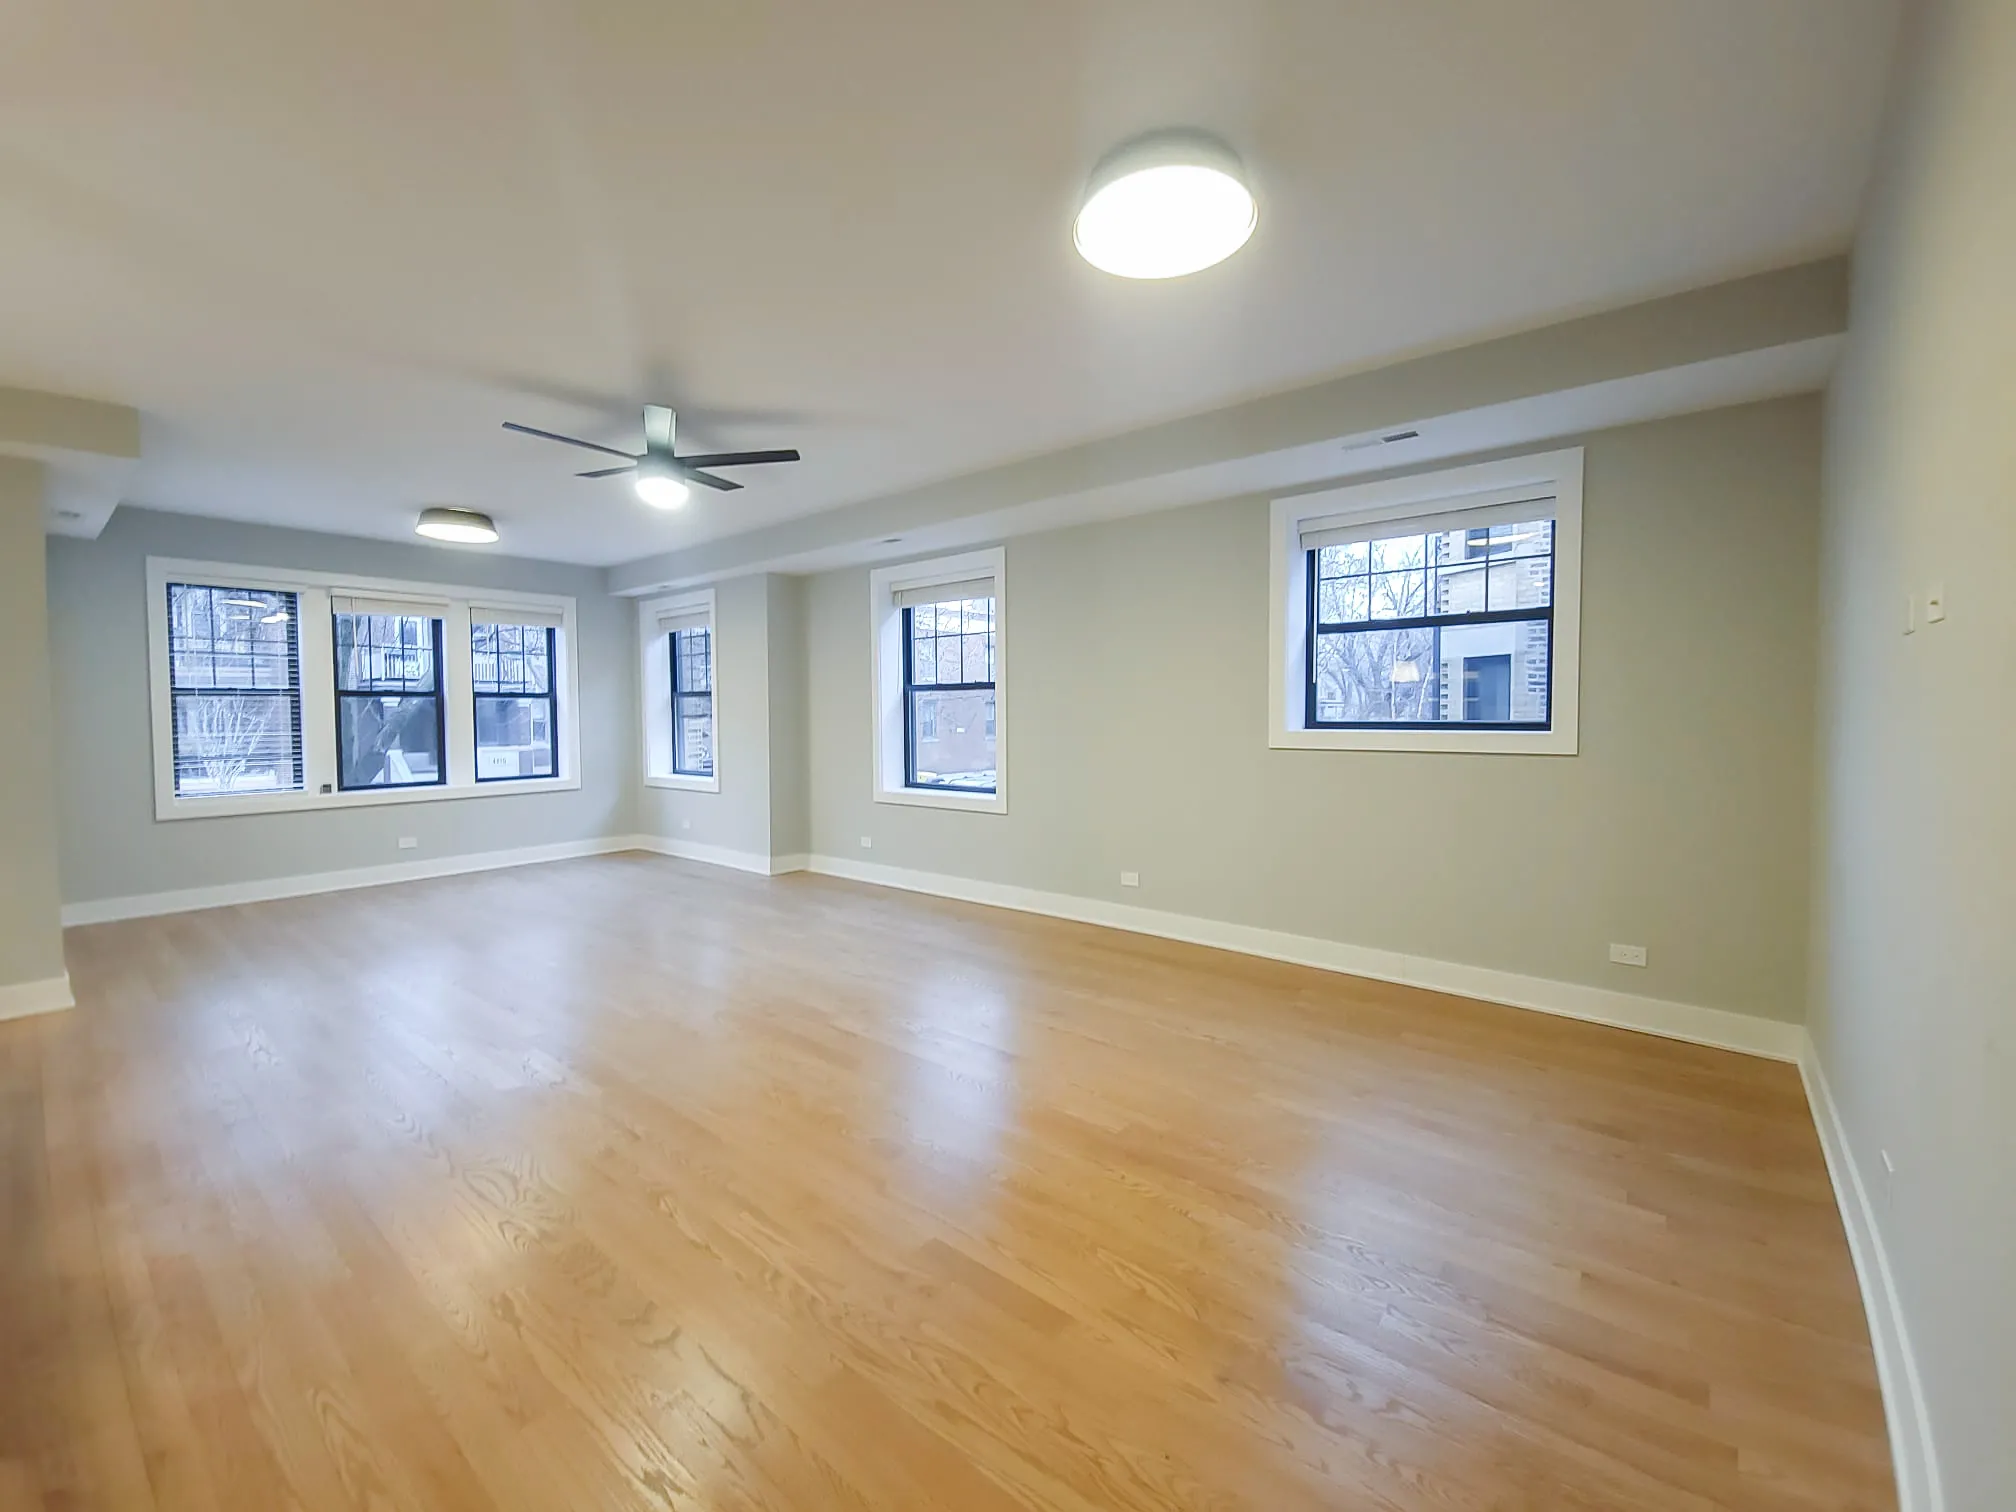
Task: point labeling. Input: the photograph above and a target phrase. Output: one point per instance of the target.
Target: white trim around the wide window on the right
(1398, 499)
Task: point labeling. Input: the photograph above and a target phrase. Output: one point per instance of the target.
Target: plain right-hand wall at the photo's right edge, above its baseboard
(1914, 1009)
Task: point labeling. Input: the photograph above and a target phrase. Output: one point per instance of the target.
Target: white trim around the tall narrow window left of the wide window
(886, 670)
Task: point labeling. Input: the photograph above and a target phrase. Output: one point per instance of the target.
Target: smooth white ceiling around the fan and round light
(328, 249)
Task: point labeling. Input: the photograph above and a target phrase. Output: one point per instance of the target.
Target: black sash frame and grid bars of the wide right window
(1388, 557)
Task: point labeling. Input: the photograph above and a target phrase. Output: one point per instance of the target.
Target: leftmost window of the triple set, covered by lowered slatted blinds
(235, 690)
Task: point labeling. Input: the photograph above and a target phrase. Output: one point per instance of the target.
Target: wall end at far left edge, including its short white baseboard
(31, 888)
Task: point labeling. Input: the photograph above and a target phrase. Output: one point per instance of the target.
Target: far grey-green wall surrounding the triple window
(98, 624)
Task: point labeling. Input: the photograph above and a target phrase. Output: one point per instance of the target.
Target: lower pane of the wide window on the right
(1451, 674)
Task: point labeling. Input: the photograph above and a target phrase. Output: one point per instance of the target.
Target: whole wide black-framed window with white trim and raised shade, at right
(1432, 614)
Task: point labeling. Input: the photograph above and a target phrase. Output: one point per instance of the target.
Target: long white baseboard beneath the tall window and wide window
(1676, 1021)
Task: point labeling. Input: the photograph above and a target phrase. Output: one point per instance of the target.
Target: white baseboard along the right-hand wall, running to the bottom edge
(1904, 1396)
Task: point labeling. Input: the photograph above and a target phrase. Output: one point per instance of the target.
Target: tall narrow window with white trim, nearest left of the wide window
(940, 688)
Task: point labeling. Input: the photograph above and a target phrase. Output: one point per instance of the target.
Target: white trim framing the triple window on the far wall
(320, 697)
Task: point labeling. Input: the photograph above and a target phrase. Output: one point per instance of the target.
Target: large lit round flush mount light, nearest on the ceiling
(1166, 205)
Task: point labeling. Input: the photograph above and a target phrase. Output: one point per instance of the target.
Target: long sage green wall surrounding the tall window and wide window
(1138, 741)
